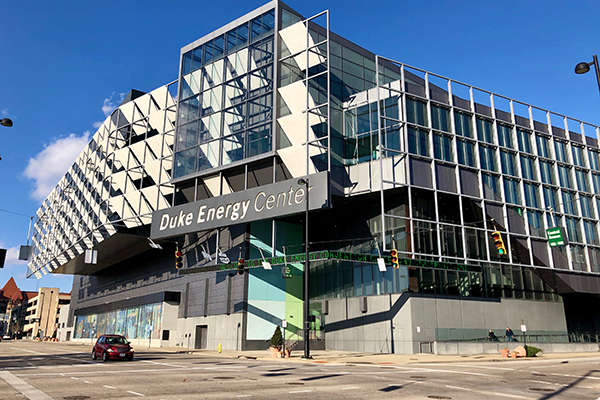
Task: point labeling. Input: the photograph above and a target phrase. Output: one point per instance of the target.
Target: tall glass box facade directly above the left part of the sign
(225, 110)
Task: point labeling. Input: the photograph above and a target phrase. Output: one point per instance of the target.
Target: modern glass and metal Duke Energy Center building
(392, 156)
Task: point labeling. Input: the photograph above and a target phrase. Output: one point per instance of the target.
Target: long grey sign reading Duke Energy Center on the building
(274, 200)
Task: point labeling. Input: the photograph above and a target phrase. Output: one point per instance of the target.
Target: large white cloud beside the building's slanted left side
(48, 166)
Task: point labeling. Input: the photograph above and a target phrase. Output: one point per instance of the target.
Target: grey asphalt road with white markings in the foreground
(41, 371)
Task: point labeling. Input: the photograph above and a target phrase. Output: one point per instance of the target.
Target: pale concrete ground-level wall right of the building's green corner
(410, 323)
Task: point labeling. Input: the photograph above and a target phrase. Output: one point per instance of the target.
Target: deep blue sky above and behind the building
(65, 65)
